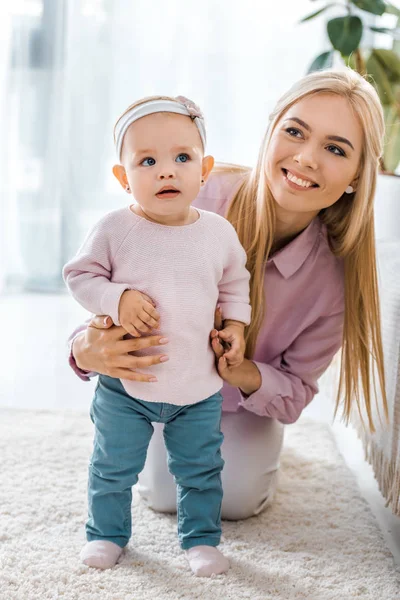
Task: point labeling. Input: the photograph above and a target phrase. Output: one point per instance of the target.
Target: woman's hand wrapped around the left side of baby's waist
(101, 348)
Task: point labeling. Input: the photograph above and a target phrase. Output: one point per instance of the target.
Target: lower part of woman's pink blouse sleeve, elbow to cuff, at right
(290, 383)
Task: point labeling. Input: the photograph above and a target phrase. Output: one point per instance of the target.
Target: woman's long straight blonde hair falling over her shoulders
(350, 227)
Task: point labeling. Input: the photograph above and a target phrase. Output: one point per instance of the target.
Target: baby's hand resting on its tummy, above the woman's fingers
(137, 314)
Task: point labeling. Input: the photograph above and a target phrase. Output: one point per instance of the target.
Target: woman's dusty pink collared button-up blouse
(302, 329)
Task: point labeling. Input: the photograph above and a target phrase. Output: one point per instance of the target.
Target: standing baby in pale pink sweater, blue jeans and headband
(162, 265)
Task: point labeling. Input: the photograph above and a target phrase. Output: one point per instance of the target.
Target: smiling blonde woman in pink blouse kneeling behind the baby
(305, 217)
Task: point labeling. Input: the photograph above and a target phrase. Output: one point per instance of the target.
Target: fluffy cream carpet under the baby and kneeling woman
(319, 541)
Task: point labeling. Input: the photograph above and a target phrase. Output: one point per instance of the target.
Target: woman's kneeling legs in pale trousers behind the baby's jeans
(251, 450)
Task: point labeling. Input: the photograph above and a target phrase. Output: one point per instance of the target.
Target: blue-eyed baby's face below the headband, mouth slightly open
(163, 158)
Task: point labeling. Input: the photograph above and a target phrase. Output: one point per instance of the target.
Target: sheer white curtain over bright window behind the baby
(69, 67)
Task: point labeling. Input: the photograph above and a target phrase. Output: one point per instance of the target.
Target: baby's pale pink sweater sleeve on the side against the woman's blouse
(234, 292)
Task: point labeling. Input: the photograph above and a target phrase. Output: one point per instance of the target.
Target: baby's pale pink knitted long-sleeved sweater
(186, 270)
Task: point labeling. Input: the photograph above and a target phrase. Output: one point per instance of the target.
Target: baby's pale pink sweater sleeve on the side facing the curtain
(88, 274)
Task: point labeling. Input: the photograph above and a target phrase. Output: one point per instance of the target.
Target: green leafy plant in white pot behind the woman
(382, 66)
